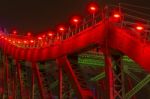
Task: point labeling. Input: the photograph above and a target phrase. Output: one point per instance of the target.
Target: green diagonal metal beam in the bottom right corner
(138, 87)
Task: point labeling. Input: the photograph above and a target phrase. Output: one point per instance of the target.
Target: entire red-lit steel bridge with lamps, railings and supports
(51, 66)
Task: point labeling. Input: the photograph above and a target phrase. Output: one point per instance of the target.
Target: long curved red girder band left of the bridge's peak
(86, 38)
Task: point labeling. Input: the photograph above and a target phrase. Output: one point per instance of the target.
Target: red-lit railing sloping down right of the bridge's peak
(131, 19)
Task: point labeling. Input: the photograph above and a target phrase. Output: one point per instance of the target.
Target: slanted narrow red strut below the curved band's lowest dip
(37, 74)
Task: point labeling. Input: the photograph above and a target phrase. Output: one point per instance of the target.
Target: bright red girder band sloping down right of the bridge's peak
(131, 45)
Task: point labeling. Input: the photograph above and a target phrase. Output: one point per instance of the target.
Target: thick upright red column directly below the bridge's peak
(109, 75)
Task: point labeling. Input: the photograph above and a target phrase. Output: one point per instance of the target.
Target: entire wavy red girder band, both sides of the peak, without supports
(118, 38)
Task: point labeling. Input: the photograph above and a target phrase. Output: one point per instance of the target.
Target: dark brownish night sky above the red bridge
(42, 15)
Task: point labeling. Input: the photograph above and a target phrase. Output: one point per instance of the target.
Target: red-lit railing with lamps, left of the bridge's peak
(34, 42)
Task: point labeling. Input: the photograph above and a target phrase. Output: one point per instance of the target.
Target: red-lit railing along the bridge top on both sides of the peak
(128, 21)
